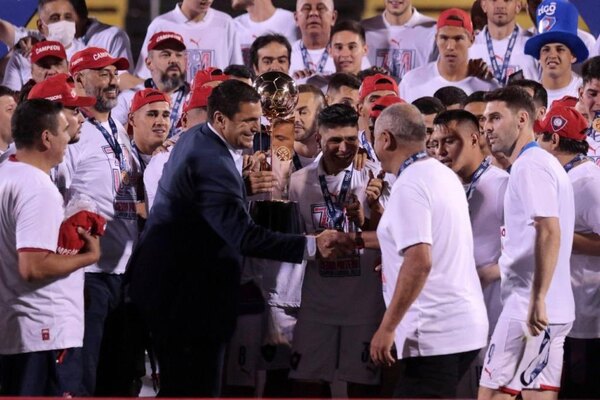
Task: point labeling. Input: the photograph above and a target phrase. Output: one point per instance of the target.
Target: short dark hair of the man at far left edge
(31, 118)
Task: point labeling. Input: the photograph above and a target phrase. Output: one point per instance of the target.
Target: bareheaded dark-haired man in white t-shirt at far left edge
(41, 296)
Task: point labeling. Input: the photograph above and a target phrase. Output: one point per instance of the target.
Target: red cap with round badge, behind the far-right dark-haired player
(565, 121)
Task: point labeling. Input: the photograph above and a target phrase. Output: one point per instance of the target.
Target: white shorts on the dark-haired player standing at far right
(515, 360)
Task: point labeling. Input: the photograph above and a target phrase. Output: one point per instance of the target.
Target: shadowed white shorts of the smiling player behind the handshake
(319, 350)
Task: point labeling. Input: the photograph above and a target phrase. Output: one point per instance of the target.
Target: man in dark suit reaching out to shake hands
(185, 271)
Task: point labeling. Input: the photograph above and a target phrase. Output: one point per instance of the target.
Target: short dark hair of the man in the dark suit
(227, 97)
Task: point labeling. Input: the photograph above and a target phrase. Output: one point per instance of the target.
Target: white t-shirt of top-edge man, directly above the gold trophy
(281, 22)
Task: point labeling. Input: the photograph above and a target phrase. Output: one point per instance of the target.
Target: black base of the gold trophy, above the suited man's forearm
(278, 216)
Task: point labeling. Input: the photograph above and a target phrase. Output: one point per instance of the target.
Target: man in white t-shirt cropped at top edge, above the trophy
(262, 18)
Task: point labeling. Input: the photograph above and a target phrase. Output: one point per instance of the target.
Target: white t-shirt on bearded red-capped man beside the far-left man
(95, 171)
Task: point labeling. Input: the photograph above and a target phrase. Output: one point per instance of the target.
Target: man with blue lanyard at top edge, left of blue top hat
(501, 43)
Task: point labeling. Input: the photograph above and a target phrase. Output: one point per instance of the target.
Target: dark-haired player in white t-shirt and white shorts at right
(525, 354)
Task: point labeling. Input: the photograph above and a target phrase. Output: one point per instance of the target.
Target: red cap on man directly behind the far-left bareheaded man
(60, 88)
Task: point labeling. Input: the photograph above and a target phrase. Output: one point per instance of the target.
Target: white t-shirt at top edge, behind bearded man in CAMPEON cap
(212, 42)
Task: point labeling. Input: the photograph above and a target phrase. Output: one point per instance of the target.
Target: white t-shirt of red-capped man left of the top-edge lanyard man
(426, 80)
